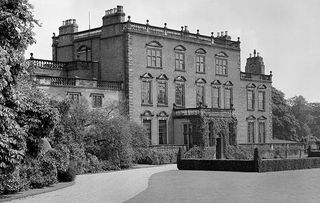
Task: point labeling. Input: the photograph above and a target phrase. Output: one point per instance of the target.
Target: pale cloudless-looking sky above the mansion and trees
(284, 32)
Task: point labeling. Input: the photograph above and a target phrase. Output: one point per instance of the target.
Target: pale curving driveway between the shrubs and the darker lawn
(108, 187)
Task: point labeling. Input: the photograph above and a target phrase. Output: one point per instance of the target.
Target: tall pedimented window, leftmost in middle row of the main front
(146, 89)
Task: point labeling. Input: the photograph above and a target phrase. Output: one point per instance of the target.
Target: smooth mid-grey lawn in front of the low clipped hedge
(217, 186)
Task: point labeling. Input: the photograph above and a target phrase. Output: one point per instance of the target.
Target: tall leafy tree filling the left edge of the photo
(25, 116)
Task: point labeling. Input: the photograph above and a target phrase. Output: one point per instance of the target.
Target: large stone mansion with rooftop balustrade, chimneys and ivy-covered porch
(184, 88)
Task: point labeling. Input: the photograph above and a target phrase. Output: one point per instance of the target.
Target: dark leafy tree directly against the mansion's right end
(285, 124)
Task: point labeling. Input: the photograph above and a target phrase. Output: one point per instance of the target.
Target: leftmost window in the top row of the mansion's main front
(154, 54)
